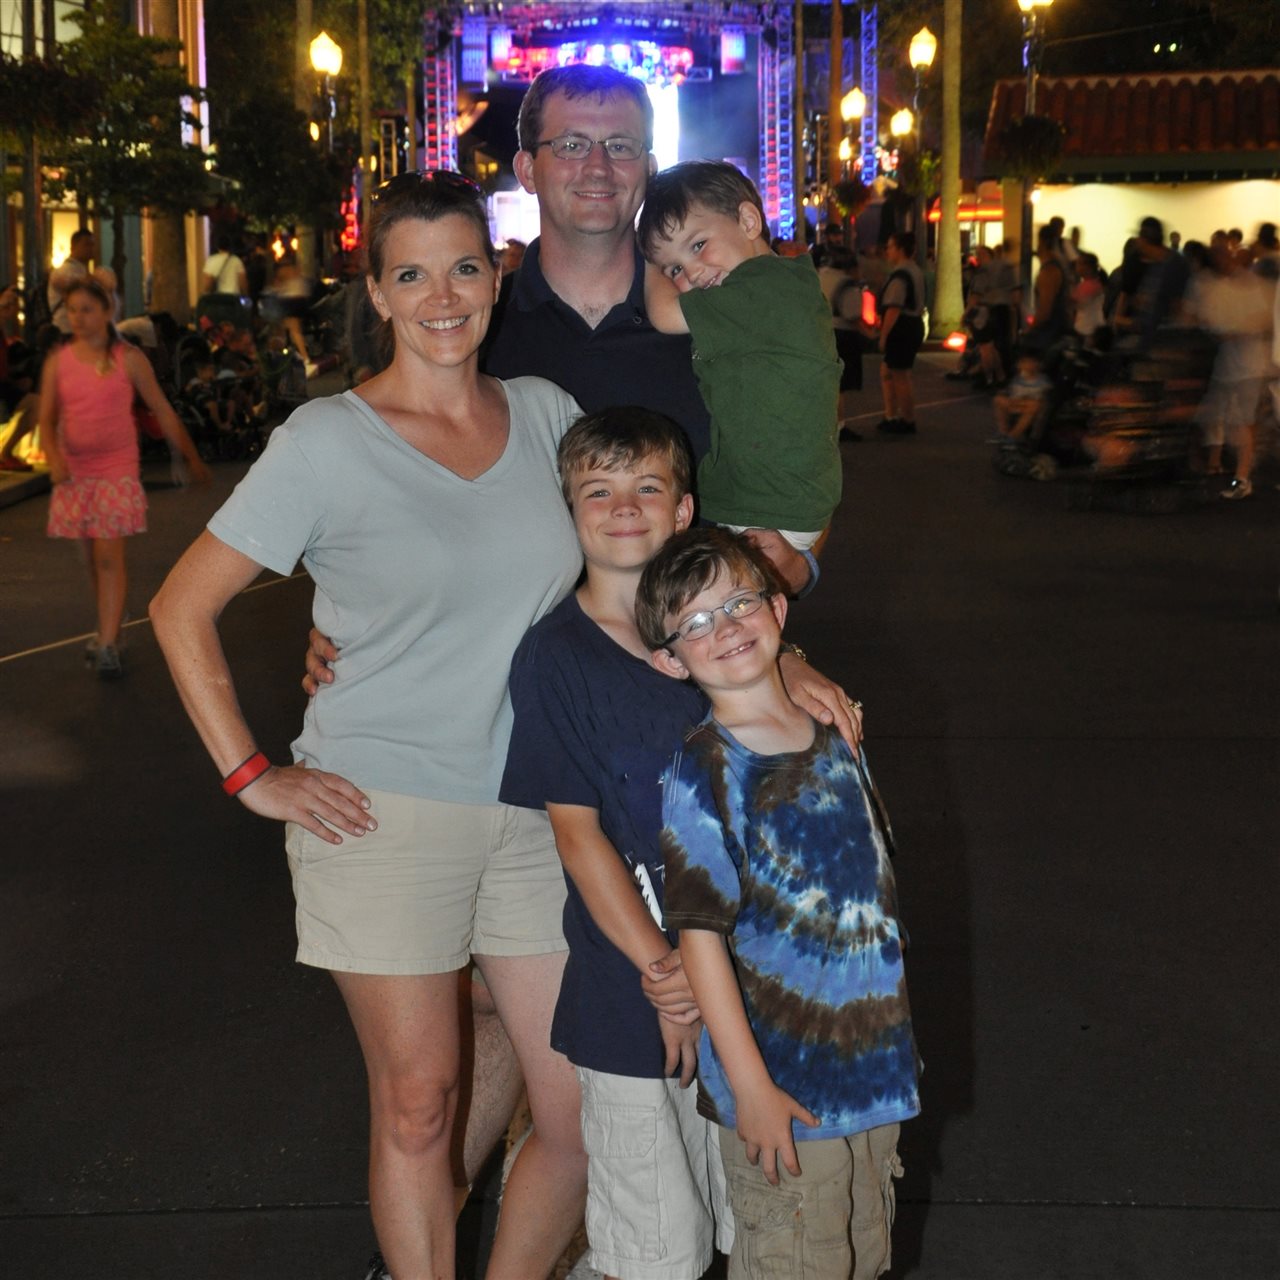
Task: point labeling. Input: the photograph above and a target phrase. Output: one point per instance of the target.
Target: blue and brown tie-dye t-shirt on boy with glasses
(784, 856)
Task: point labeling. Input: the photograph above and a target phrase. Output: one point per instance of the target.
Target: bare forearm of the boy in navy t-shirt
(614, 899)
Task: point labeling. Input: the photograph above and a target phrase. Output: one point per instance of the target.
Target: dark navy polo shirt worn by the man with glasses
(624, 360)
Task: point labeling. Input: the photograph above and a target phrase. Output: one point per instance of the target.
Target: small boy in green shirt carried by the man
(765, 353)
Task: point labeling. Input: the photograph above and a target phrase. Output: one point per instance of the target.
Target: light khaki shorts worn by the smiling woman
(433, 886)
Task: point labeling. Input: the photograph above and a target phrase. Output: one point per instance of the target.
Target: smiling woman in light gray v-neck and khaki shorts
(426, 506)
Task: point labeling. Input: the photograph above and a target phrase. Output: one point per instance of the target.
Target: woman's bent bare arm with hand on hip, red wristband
(185, 614)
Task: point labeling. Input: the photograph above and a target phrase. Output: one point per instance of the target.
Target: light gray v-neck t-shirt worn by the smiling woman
(426, 582)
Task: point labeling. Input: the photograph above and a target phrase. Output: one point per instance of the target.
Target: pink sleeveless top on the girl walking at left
(95, 412)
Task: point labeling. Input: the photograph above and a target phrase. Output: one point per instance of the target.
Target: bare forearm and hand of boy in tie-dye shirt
(765, 1112)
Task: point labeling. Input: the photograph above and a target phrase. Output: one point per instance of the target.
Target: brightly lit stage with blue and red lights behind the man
(721, 76)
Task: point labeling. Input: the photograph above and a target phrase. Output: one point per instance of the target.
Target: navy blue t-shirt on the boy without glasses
(596, 726)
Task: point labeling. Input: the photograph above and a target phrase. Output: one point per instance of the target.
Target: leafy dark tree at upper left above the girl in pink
(132, 156)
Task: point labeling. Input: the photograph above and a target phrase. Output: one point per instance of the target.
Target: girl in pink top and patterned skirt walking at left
(86, 414)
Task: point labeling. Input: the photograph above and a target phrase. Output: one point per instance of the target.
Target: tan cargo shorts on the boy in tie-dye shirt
(833, 1223)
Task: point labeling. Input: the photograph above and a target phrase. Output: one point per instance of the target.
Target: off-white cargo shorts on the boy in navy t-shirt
(656, 1203)
